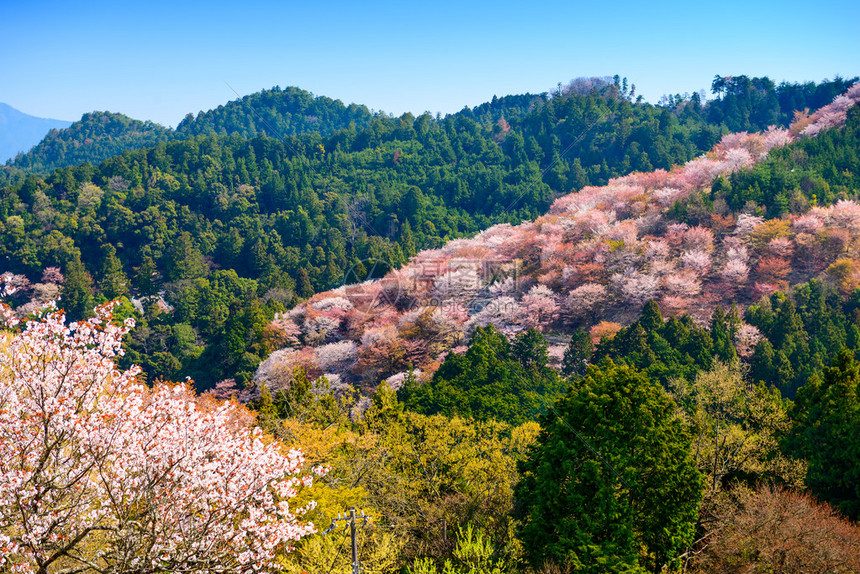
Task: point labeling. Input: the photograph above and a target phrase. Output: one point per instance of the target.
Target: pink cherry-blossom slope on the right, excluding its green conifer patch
(592, 261)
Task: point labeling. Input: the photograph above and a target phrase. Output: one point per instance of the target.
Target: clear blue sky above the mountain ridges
(162, 59)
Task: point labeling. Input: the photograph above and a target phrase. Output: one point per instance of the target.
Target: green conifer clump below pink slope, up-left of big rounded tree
(494, 379)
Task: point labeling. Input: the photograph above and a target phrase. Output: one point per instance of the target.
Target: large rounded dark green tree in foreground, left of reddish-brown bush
(610, 485)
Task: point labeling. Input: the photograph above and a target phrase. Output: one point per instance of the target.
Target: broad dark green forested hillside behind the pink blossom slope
(234, 230)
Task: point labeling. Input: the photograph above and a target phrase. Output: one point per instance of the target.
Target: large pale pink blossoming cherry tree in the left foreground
(98, 473)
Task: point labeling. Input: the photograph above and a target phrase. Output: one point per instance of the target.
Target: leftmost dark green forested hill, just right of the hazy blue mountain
(94, 138)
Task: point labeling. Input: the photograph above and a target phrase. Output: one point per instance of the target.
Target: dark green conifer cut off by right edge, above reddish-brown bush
(826, 432)
